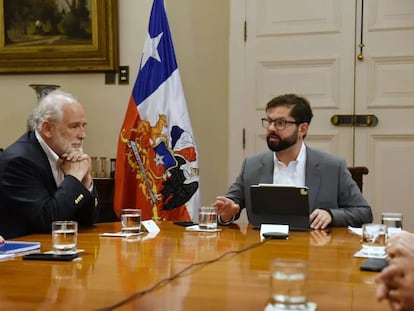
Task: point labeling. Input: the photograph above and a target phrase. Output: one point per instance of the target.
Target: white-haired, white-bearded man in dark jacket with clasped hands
(45, 175)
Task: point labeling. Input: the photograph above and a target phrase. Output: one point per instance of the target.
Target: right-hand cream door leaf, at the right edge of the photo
(384, 87)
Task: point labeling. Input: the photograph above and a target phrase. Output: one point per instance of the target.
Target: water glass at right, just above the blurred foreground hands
(374, 239)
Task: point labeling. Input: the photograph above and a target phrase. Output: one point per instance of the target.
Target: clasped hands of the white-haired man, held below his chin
(77, 164)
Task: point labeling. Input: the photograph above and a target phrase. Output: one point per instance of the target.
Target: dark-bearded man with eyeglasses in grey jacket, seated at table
(338, 200)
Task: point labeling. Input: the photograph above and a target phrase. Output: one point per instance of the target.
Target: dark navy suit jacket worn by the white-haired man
(29, 197)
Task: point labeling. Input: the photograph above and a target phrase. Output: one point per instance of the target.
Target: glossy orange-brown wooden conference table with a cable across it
(113, 269)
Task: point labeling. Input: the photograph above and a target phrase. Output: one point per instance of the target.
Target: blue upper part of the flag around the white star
(155, 72)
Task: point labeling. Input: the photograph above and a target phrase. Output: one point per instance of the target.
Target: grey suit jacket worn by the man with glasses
(330, 184)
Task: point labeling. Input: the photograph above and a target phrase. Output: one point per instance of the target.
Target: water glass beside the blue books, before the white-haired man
(64, 237)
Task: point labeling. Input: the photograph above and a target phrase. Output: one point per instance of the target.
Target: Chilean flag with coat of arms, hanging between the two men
(157, 160)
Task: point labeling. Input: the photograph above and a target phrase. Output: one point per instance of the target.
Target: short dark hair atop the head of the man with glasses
(301, 111)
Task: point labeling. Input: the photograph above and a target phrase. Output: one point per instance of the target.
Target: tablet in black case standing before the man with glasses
(281, 205)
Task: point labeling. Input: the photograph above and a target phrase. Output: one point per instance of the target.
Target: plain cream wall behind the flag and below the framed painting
(200, 35)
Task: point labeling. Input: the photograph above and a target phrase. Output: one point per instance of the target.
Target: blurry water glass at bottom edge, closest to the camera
(288, 284)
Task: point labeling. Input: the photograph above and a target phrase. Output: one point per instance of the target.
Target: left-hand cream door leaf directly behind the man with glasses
(301, 47)
